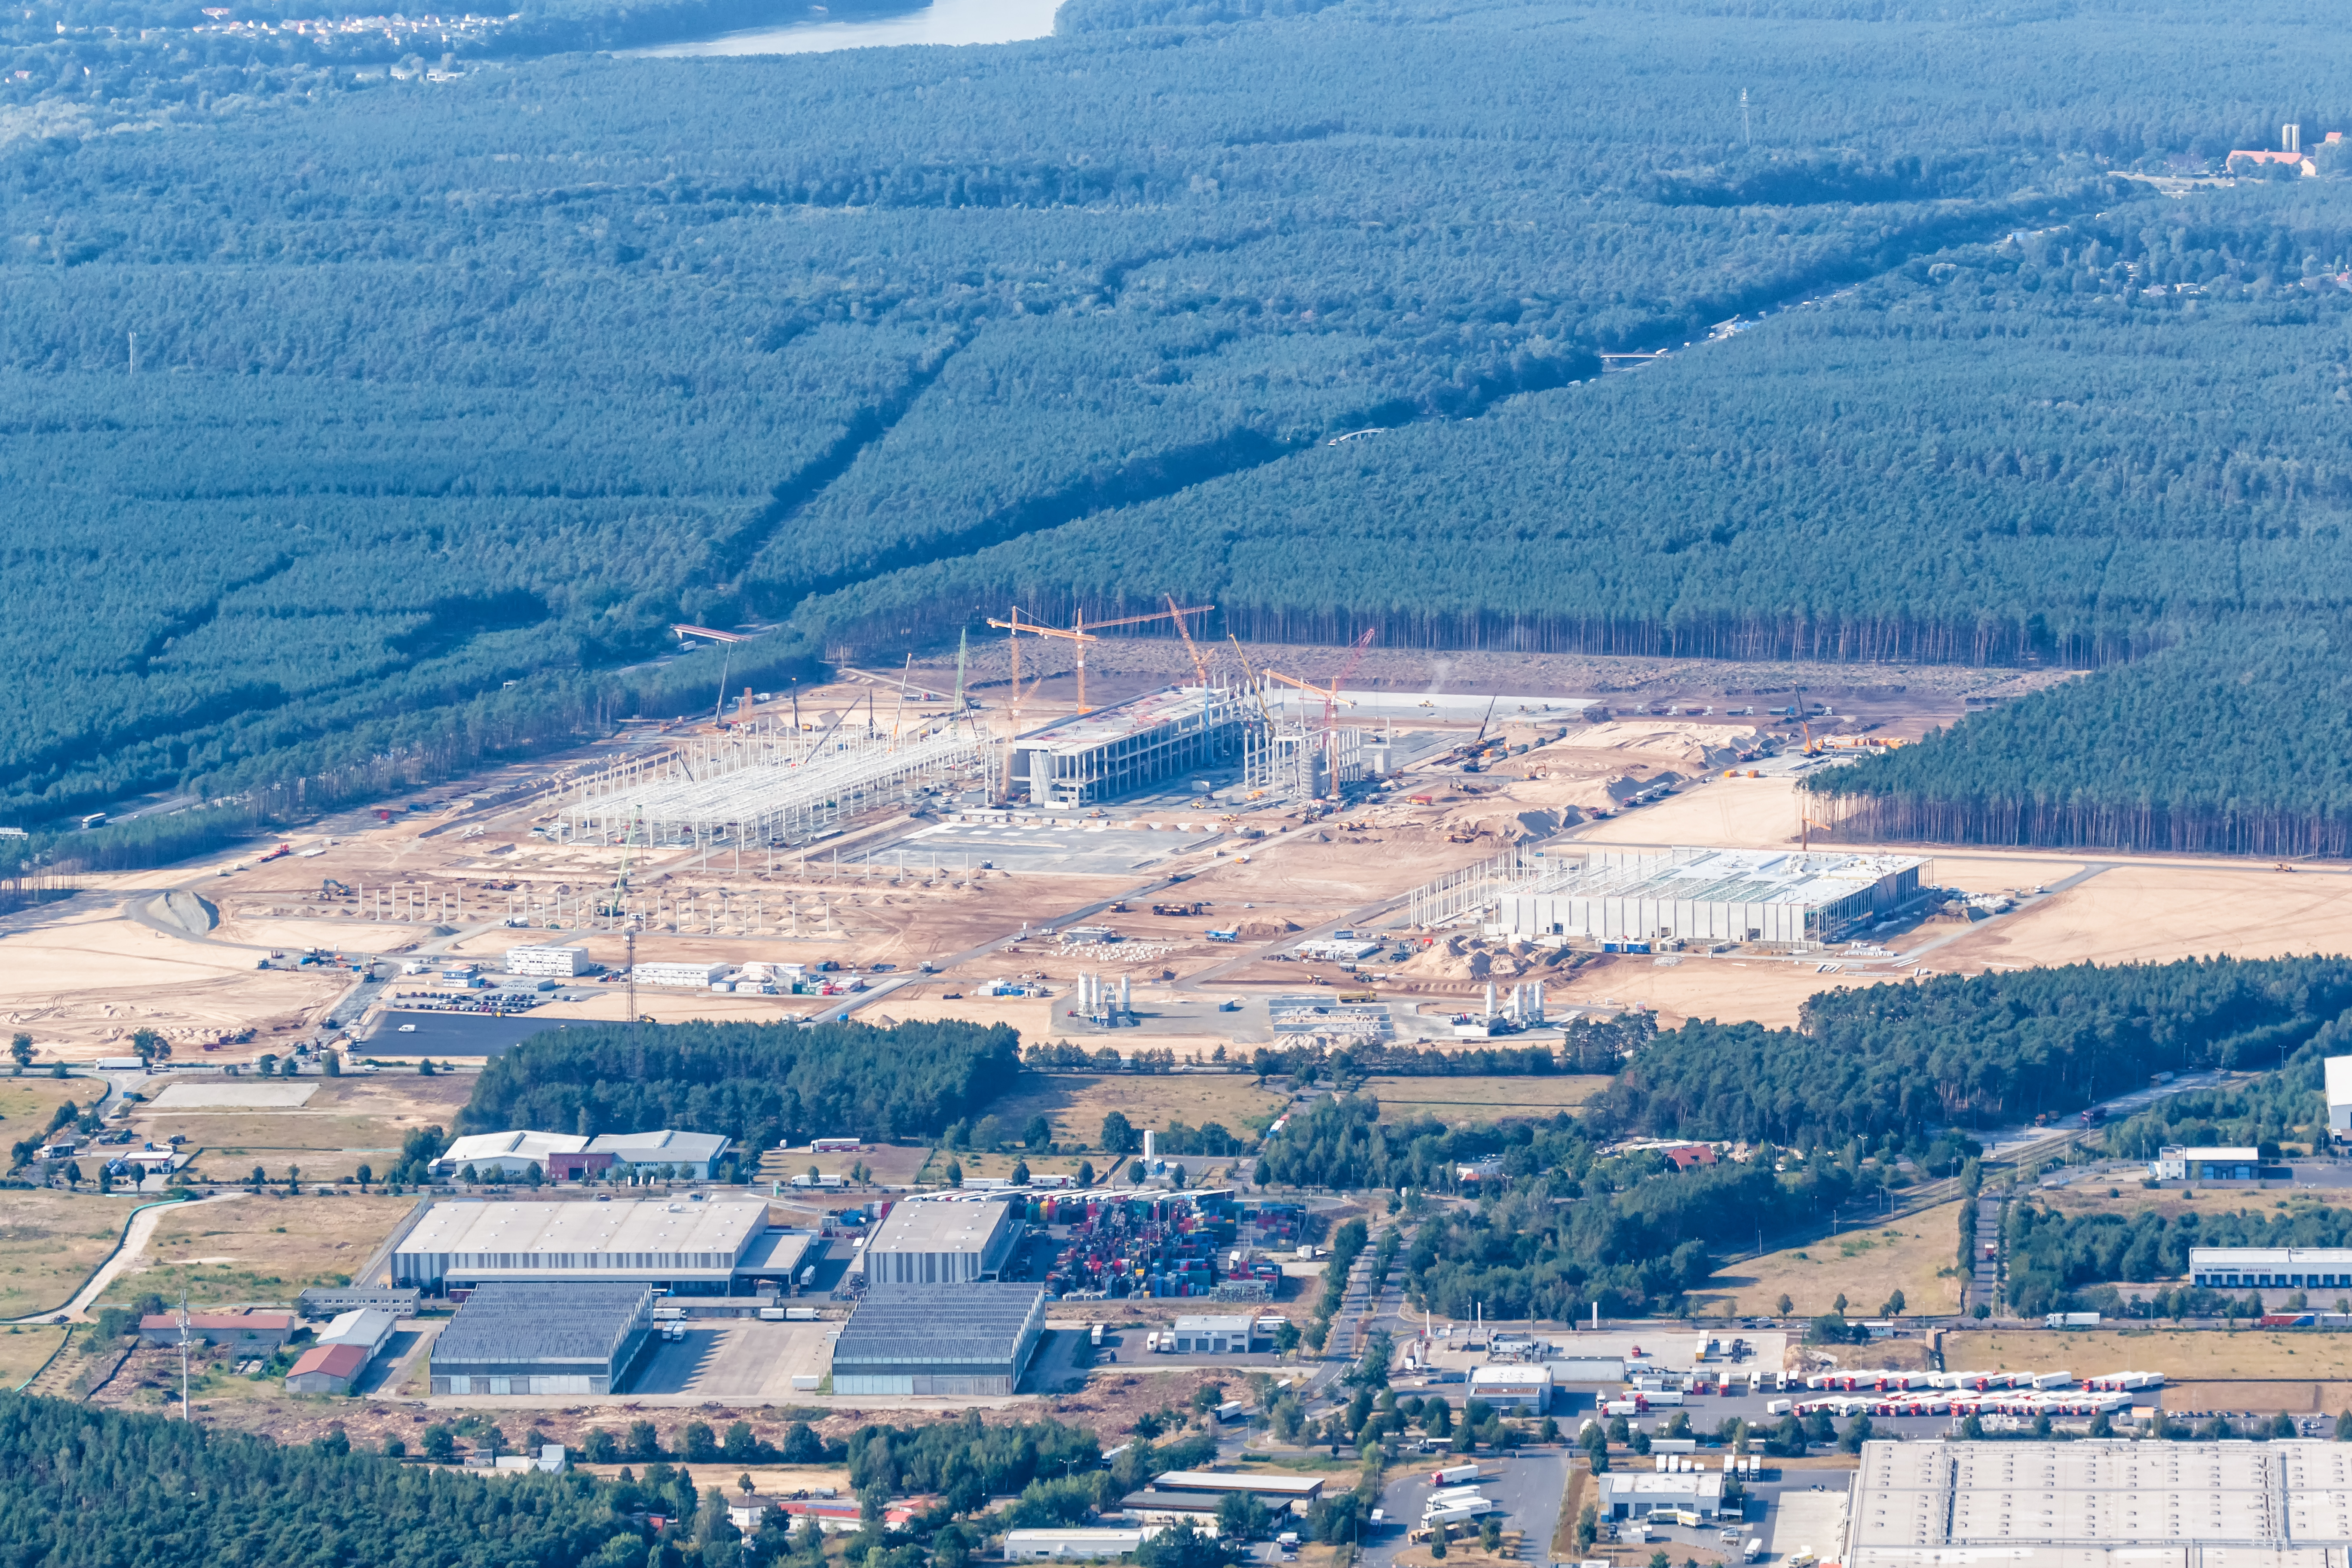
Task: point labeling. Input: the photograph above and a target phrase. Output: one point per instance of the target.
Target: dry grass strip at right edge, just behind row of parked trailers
(2184, 1355)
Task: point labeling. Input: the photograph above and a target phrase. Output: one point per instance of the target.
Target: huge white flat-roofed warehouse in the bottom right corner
(2102, 1506)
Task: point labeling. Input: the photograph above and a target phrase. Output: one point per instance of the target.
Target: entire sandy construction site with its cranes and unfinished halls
(1177, 862)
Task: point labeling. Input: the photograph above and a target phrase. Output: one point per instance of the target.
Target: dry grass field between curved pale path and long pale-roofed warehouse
(260, 1249)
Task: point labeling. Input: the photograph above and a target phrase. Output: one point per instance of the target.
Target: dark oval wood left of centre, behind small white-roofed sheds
(756, 1083)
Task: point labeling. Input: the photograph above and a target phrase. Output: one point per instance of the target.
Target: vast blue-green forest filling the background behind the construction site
(335, 398)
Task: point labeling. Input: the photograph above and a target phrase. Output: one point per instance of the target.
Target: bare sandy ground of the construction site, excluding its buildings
(211, 953)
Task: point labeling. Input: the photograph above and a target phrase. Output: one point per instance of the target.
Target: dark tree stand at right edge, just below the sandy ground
(1996, 1050)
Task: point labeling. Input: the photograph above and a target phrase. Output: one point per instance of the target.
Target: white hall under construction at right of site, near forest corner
(1709, 894)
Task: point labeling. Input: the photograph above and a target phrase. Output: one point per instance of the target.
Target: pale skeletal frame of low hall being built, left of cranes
(766, 786)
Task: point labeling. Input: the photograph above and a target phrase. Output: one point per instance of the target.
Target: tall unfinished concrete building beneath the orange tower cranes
(1116, 751)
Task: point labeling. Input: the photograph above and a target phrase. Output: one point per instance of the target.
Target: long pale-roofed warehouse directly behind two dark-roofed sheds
(679, 1247)
